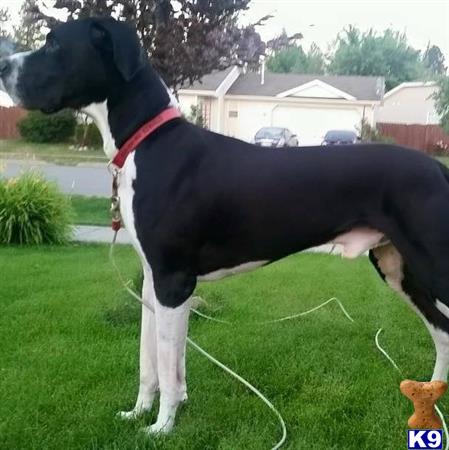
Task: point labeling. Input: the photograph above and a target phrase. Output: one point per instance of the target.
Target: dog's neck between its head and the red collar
(121, 115)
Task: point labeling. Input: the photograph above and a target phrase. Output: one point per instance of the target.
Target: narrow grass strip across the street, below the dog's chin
(55, 153)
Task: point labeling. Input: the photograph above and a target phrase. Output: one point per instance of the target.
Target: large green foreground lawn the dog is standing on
(69, 356)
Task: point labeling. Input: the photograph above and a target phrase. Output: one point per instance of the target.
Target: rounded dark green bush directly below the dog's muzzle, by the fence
(39, 127)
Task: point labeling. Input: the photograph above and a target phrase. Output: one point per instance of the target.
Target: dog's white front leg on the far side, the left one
(148, 353)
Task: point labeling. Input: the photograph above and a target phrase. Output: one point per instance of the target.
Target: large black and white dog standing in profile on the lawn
(200, 206)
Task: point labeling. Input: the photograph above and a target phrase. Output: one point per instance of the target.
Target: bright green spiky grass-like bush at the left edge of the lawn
(33, 211)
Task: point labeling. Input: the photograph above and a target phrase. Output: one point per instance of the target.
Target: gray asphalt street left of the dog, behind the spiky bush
(88, 180)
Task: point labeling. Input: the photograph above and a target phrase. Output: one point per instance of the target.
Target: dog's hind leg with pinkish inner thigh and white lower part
(391, 267)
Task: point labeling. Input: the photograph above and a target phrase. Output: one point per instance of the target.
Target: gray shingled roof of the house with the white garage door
(360, 87)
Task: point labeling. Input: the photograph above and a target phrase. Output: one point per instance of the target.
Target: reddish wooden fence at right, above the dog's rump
(429, 138)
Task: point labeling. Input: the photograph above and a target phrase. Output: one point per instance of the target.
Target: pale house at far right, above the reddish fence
(410, 103)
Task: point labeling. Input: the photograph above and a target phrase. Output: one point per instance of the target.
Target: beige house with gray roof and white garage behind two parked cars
(238, 104)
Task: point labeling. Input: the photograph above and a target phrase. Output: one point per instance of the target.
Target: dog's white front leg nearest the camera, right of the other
(171, 329)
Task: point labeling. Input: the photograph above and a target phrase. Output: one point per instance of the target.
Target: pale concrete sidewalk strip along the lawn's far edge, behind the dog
(87, 233)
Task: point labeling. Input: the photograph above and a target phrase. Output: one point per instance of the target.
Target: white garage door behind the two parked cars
(311, 124)
